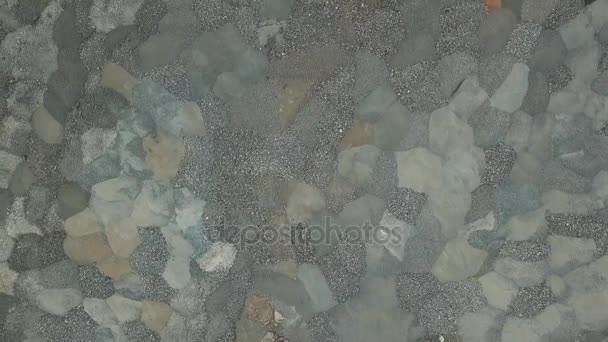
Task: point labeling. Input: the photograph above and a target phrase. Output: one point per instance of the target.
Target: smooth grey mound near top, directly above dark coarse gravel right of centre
(418, 48)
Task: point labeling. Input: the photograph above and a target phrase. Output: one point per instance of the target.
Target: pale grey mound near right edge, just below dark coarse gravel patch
(568, 252)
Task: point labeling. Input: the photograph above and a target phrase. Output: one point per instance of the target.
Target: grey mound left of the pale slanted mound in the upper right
(454, 69)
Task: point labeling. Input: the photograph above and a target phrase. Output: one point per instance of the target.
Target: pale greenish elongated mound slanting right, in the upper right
(510, 95)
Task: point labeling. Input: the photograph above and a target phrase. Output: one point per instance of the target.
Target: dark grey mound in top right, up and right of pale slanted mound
(549, 52)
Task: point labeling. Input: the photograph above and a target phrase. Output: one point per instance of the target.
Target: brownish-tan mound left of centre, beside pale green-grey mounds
(164, 155)
